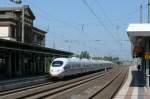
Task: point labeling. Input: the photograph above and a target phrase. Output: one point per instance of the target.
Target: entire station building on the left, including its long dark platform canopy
(22, 46)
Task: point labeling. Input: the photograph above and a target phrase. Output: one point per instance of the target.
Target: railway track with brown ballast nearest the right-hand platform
(102, 87)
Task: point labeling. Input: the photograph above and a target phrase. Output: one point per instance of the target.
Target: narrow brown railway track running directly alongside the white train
(34, 89)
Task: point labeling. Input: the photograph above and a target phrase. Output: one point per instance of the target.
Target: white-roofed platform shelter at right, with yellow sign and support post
(139, 35)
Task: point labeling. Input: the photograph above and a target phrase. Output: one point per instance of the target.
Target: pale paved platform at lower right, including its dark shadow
(134, 87)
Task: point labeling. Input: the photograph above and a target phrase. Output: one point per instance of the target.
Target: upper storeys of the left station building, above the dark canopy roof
(11, 19)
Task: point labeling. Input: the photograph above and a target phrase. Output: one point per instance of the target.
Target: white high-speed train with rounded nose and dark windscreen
(61, 67)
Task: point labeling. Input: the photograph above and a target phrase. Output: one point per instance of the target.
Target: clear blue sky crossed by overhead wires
(96, 26)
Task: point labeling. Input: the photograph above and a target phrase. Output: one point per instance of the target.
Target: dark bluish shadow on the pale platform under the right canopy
(137, 79)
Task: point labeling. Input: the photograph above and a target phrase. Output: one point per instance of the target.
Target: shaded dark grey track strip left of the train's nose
(6, 85)
